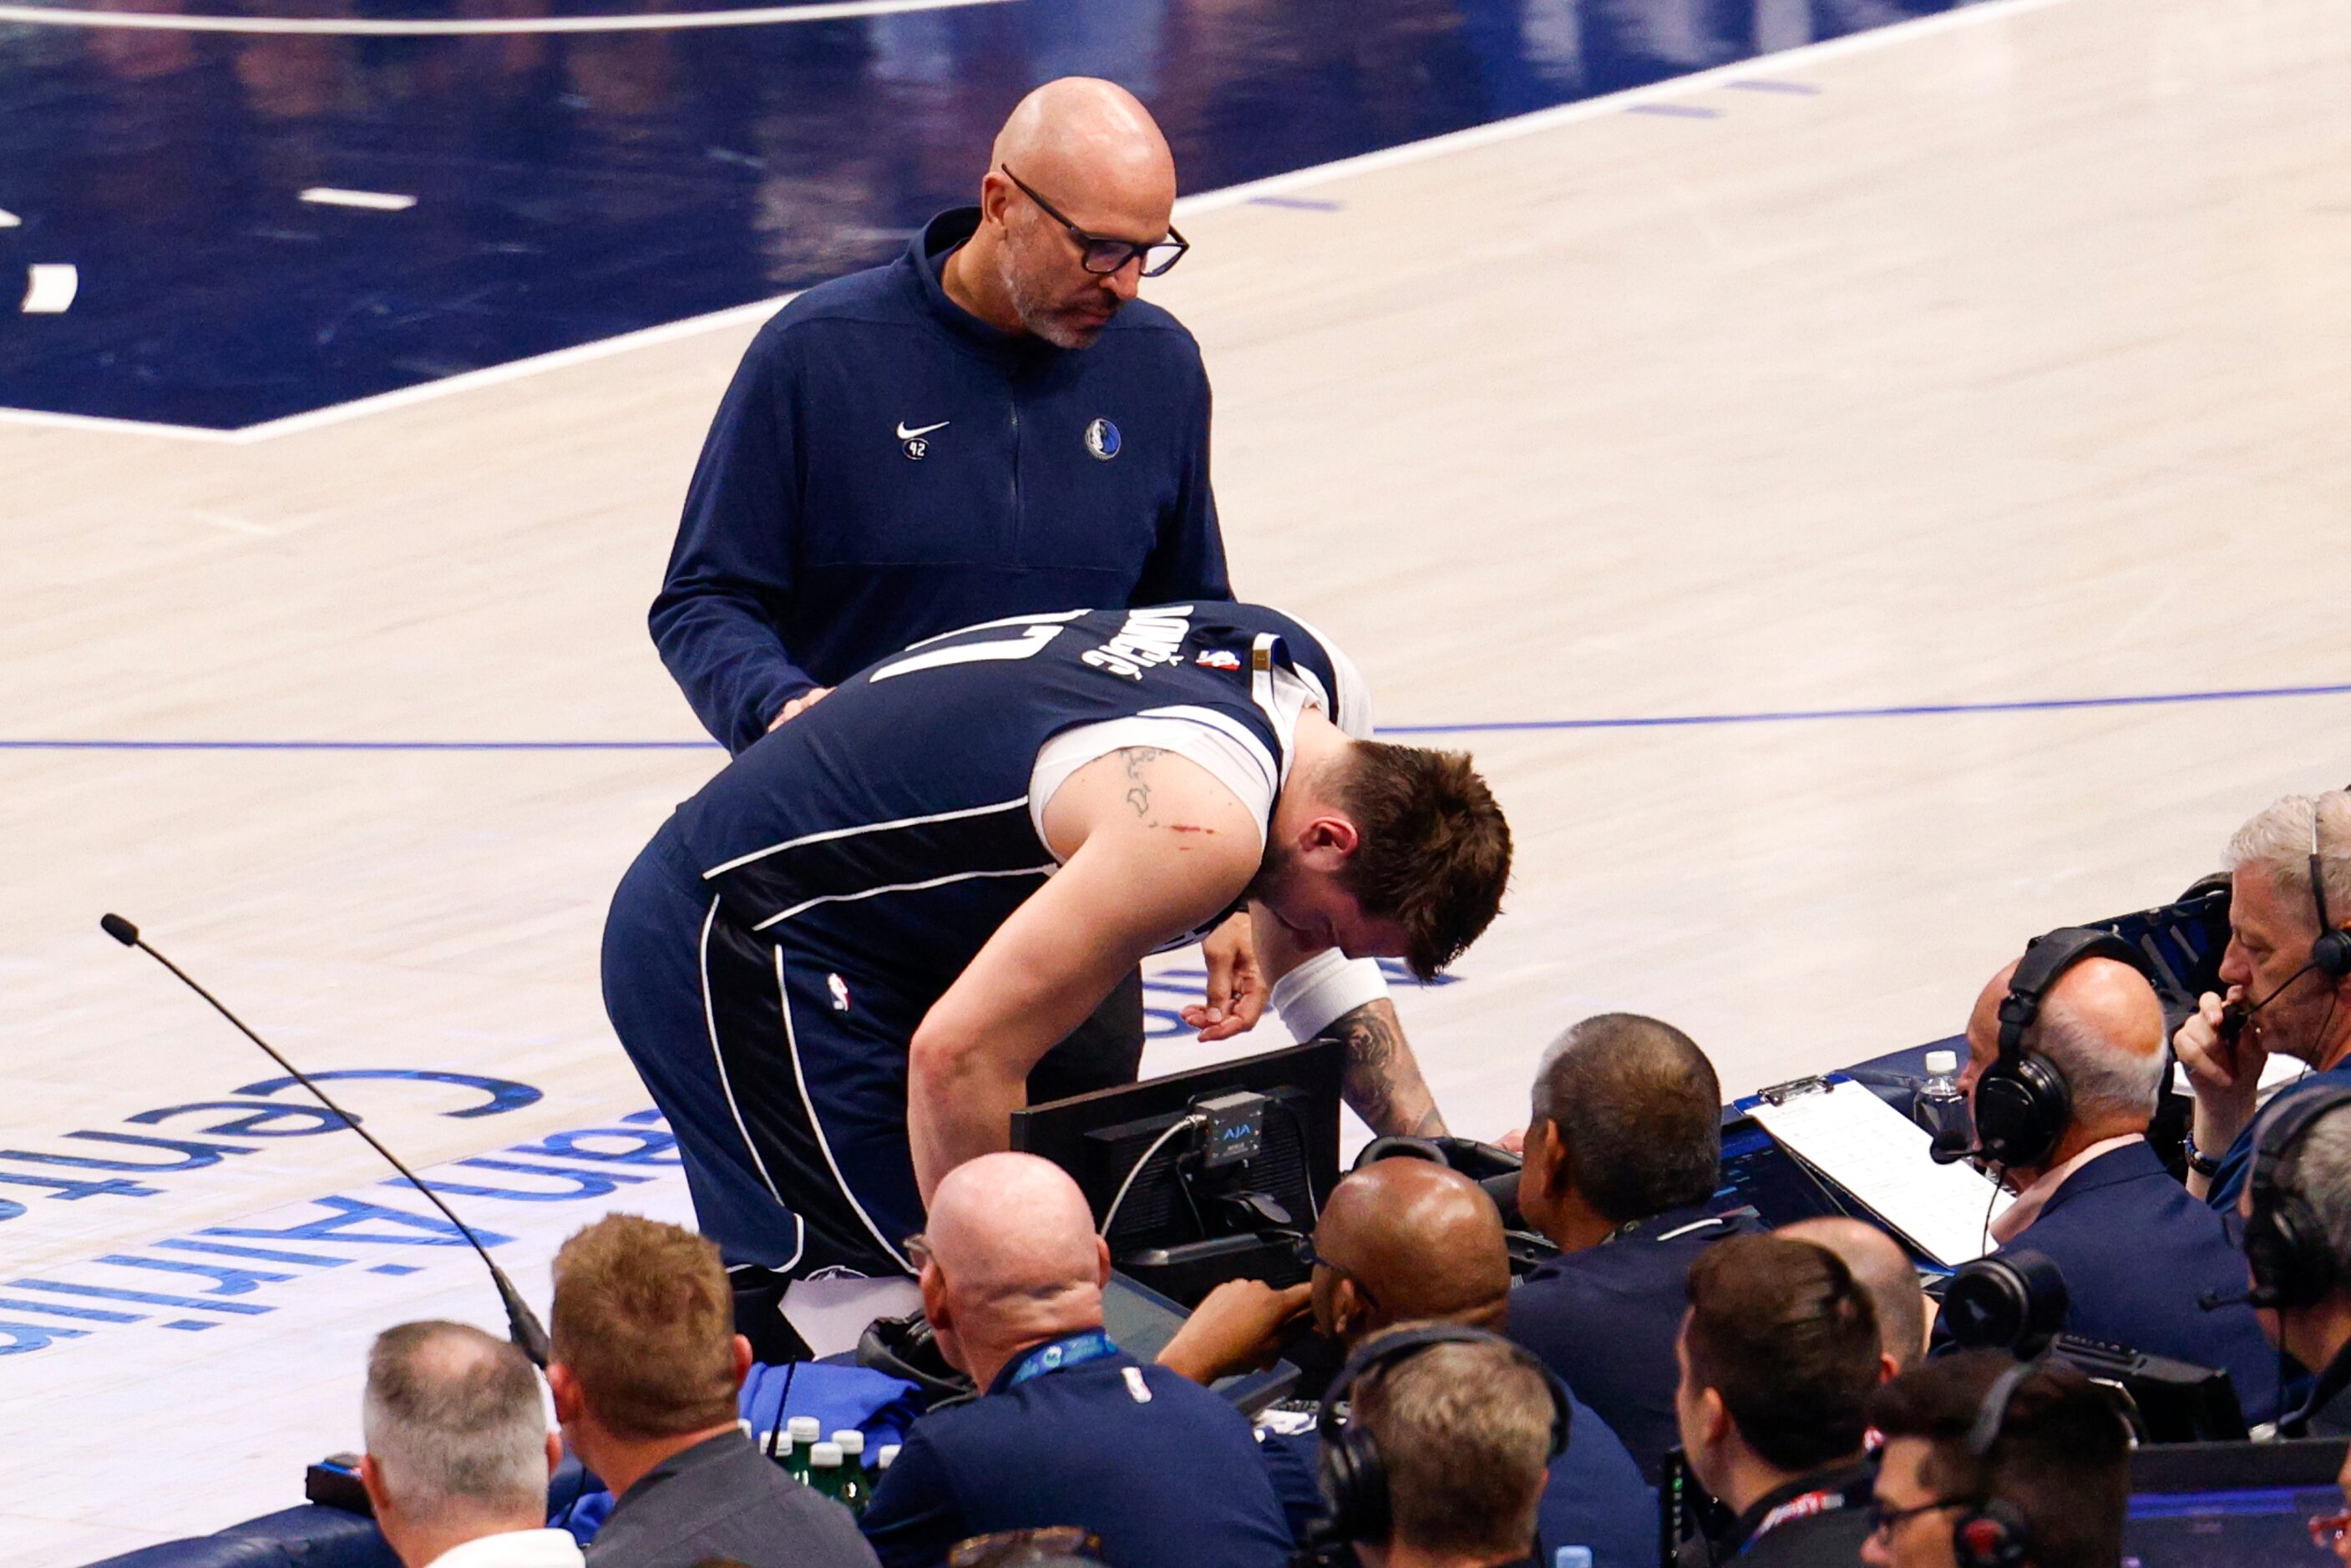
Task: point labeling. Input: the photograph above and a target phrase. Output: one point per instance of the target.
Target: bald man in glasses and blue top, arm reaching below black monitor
(1409, 1240)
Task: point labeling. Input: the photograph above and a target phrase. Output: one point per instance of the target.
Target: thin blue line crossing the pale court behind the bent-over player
(1675, 721)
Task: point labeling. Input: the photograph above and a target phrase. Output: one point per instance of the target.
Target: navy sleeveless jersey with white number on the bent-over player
(897, 812)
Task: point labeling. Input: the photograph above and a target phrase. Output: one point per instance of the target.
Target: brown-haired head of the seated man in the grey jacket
(645, 1322)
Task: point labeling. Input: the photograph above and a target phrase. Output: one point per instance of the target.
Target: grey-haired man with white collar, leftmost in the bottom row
(460, 1452)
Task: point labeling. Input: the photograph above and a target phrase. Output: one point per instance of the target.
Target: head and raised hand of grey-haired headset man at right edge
(2289, 984)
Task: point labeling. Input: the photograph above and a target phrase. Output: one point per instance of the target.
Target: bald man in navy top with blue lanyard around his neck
(1069, 1430)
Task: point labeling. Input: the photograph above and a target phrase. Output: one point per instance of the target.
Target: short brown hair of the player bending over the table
(1433, 855)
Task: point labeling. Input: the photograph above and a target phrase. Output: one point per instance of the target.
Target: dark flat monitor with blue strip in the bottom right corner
(2230, 1506)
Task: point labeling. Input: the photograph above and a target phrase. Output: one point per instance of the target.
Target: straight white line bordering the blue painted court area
(1210, 201)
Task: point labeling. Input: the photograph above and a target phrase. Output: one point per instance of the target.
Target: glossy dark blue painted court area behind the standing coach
(580, 185)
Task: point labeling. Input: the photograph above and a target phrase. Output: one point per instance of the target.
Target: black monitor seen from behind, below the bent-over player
(1106, 1144)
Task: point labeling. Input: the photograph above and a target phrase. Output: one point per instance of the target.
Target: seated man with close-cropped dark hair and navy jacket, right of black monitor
(1623, 1153)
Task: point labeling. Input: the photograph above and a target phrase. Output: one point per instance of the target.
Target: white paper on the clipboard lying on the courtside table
(1880, 1158)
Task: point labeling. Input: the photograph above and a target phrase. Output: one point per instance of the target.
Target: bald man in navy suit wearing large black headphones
(2136, 1249)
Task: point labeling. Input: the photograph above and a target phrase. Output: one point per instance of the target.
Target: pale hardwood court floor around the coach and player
(1983, 363)
